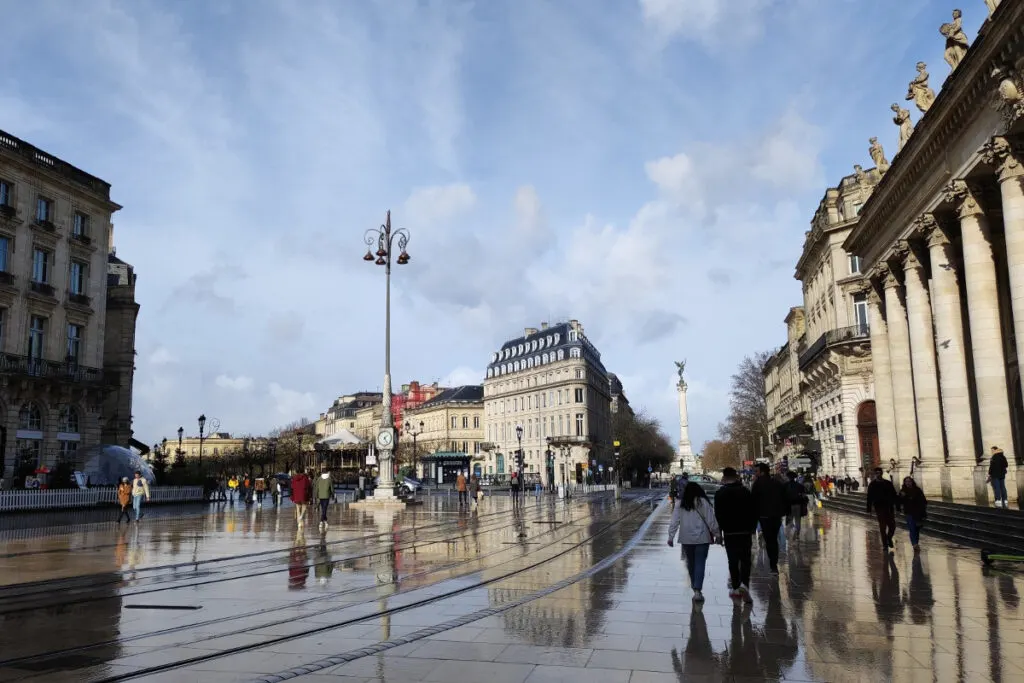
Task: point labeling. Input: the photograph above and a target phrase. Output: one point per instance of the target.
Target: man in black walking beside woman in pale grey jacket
(738, 519)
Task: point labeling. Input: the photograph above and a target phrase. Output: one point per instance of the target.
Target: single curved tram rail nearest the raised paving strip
(633, 510)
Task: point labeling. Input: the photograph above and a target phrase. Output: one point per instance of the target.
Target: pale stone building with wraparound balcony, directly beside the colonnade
(835, 362)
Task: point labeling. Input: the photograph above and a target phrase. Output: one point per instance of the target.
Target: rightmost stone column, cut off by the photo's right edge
(1008, 158)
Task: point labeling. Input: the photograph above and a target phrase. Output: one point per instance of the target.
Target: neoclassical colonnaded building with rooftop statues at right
(942, 240)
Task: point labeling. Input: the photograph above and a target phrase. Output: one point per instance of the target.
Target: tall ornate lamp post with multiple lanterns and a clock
(387, 240)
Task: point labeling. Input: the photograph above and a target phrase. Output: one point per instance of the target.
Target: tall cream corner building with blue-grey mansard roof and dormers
(552, 383)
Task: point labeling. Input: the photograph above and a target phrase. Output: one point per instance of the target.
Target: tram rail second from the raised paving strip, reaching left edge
(563, 528)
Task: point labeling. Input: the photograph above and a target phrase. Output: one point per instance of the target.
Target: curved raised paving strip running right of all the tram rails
(346, 658)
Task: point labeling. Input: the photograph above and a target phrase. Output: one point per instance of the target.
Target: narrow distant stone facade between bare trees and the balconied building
(788, 407)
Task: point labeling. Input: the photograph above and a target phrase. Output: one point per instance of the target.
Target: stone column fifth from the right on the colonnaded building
(903, 375)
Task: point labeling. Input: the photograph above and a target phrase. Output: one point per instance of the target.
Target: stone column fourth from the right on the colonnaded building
(926, 382)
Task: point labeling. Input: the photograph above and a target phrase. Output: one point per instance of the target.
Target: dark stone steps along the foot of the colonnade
(951, 526)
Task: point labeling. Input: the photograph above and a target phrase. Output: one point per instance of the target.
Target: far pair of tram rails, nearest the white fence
(81, 584)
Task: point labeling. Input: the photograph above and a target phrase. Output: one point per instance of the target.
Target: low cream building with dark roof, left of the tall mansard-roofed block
(450, 423)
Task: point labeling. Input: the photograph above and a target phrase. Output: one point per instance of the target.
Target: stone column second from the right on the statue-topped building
(984, 315)
